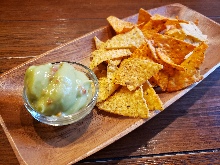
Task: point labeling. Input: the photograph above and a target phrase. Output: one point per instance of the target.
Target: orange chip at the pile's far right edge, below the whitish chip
(183, 79)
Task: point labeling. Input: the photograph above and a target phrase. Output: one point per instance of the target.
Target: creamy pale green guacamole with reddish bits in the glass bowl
(57, 89)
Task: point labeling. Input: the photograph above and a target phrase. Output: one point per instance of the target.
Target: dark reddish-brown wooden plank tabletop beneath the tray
(187, 132)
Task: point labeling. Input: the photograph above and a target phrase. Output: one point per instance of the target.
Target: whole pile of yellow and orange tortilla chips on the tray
(157, 51)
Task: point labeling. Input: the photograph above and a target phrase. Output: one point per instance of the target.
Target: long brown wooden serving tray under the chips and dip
(37, 143)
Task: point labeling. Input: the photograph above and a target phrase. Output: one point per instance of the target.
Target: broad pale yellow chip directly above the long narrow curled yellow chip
(131, 39)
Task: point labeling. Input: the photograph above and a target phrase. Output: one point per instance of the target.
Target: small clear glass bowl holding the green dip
(76, 116)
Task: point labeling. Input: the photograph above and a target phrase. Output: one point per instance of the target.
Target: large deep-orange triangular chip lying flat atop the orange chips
(175, 49)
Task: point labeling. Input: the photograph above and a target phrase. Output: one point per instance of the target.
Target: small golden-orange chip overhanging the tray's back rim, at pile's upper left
(120, 26)
